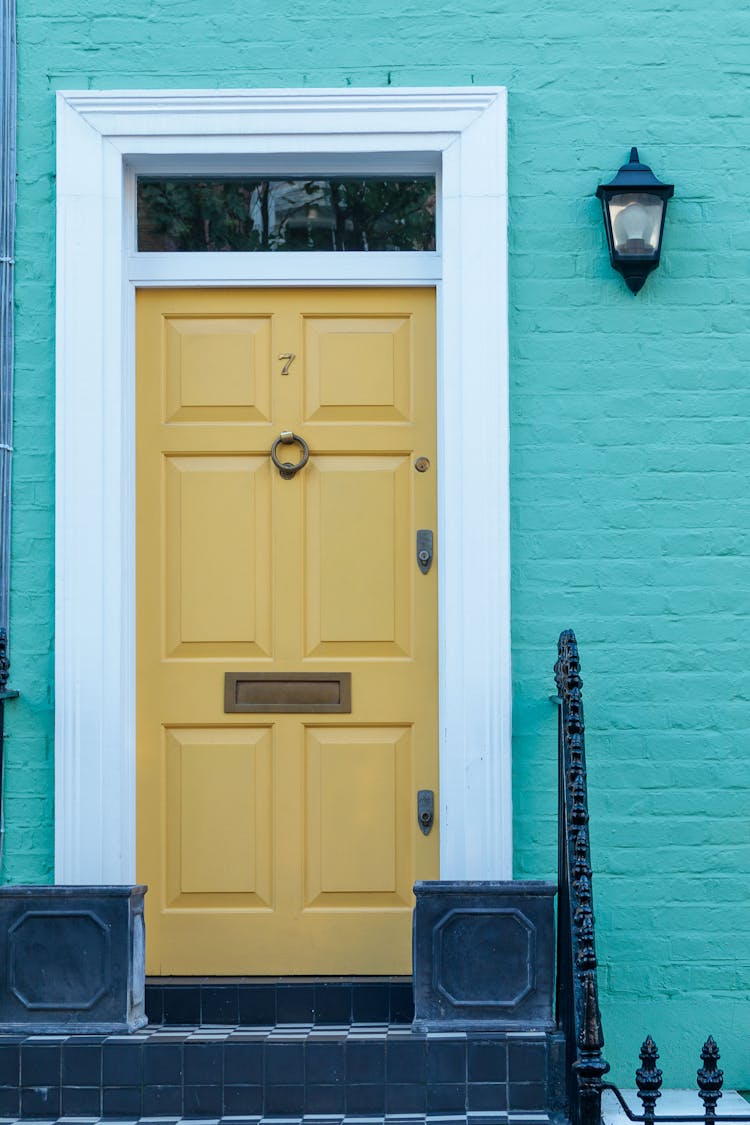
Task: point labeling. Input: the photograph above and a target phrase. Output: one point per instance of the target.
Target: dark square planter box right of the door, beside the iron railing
(484, 955)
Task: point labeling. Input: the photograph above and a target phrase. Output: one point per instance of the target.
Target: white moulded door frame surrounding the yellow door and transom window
(103, 136)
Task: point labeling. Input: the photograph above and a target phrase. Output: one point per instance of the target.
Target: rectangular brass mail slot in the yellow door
(296, 691)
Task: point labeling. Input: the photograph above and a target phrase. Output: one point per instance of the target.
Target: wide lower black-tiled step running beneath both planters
(360, 1070)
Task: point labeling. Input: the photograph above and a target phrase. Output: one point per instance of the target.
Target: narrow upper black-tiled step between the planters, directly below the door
(254, 1002)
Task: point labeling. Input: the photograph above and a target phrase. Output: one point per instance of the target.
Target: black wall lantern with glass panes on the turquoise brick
(635, 206)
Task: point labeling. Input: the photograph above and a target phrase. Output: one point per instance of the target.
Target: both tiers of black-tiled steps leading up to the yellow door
(281, 1051)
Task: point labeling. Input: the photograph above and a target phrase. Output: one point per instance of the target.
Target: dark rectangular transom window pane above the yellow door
(246, 215)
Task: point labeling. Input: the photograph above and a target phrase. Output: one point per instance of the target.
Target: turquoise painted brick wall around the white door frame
(630, 434)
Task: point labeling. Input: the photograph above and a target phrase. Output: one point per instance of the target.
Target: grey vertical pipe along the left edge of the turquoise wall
(7, 242)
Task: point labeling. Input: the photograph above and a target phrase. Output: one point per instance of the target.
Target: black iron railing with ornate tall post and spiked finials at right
(577, 986)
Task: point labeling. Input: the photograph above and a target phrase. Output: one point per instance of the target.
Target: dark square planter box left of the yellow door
(73, 958)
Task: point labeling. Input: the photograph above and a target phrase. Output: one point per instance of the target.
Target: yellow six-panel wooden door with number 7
(285, 842)
